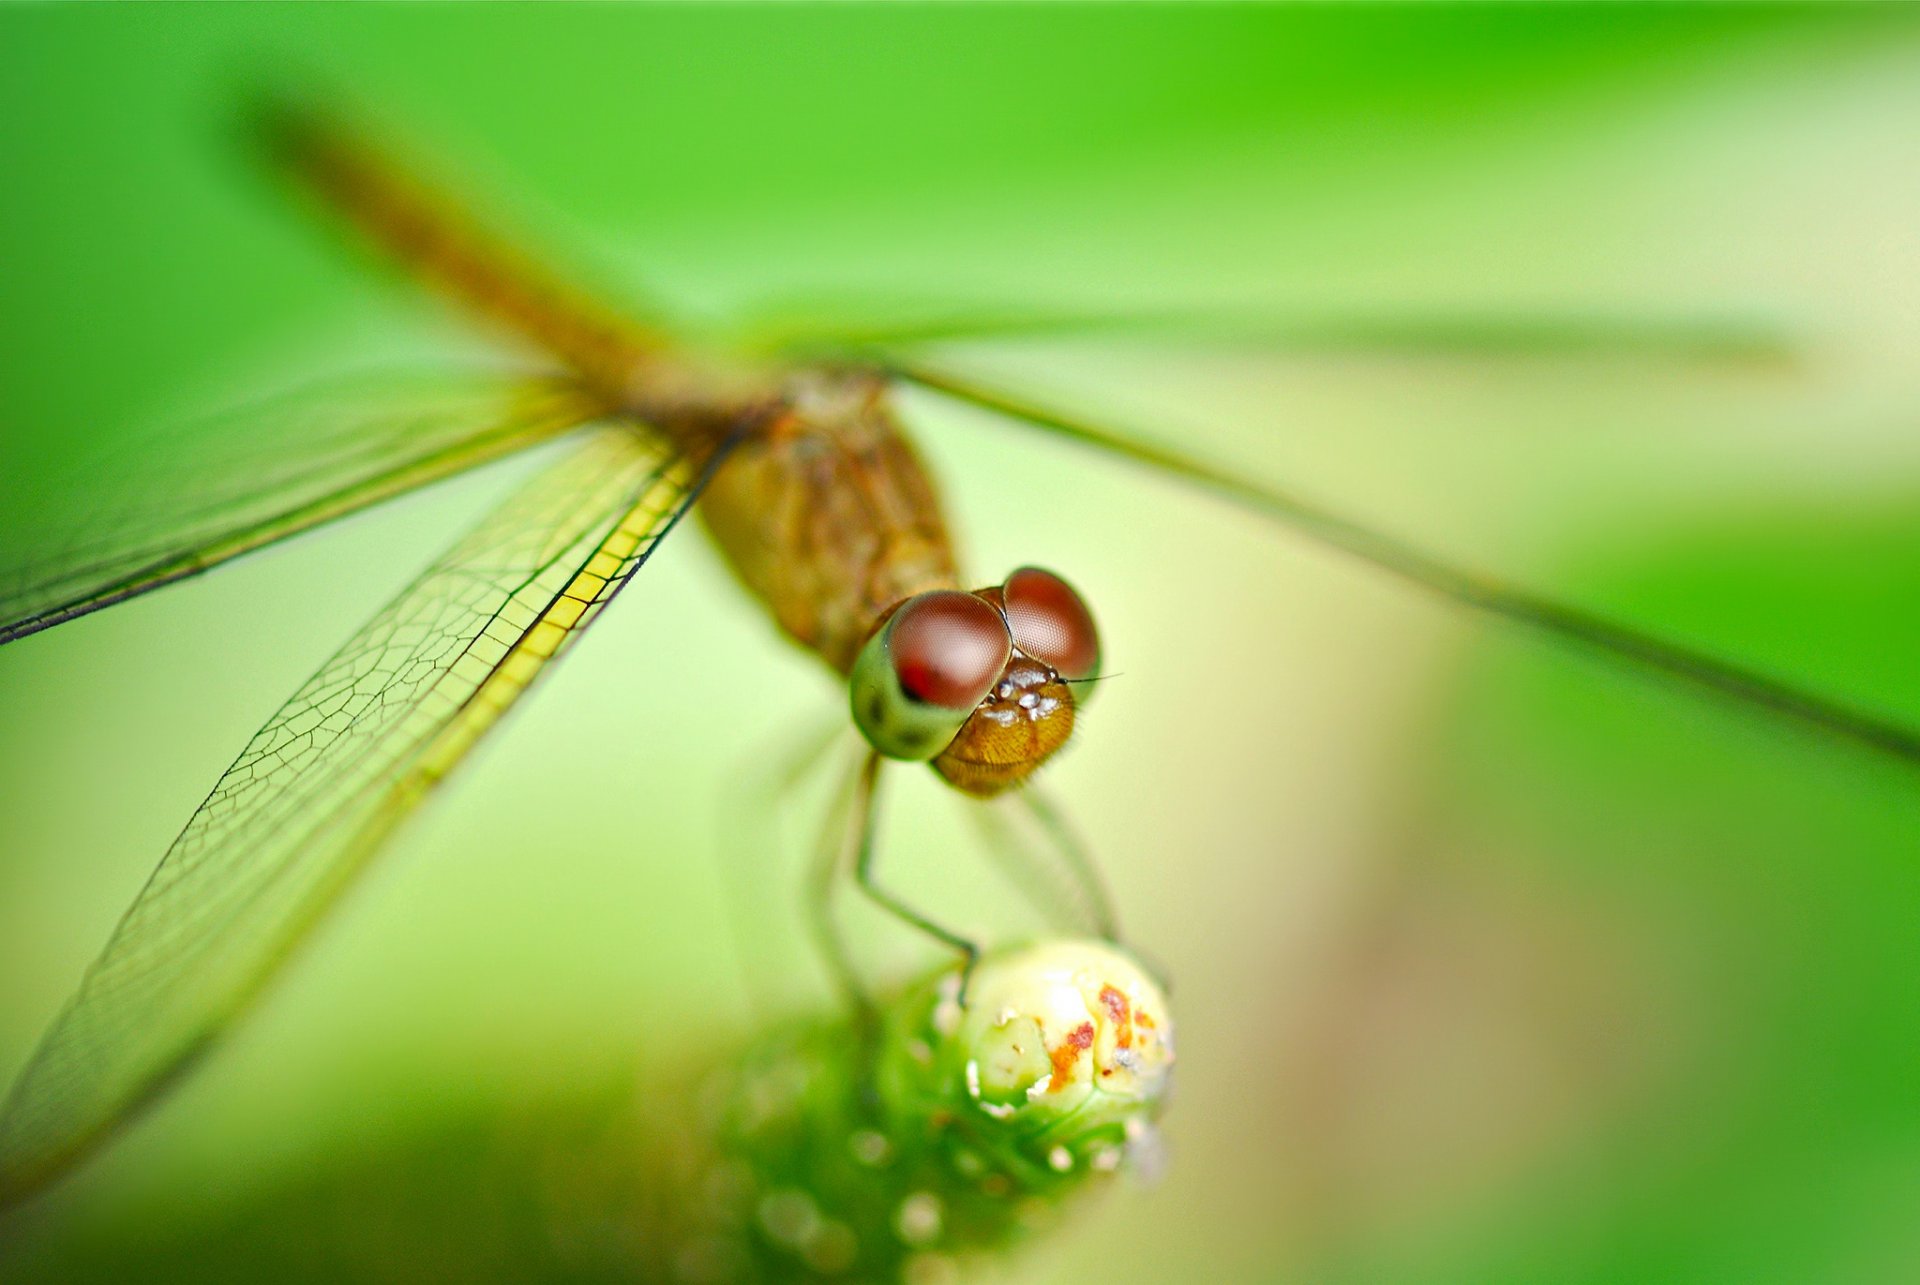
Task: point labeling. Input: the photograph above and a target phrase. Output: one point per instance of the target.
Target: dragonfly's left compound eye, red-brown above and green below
(921, 677)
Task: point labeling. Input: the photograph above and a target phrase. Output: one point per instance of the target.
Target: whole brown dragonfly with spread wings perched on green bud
(802, 472)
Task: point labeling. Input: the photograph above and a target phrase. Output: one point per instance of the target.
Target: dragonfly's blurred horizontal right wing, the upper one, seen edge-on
(823, 331)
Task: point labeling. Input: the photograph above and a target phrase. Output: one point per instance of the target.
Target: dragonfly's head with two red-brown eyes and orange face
(978, 685)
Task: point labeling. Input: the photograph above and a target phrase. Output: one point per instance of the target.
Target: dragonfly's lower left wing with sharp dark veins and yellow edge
(316, 792)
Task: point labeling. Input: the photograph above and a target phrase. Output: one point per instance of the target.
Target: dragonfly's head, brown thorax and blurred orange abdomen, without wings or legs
(823, 508)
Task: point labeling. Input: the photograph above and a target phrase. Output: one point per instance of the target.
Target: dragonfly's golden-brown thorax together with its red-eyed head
(827, 514)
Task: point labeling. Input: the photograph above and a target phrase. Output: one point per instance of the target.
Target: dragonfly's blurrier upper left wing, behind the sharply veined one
(204, 493)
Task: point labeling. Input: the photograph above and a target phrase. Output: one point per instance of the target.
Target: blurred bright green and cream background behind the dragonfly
(1491, 963)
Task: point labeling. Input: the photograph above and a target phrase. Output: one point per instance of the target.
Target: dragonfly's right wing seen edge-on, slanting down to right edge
(1464, 587)
